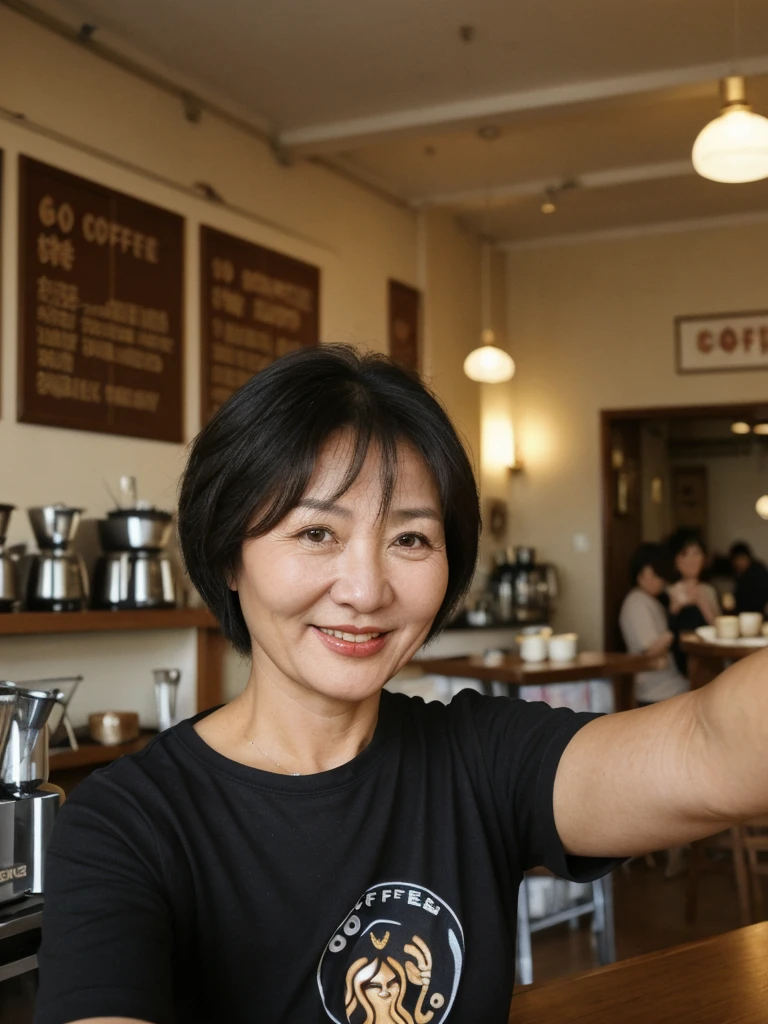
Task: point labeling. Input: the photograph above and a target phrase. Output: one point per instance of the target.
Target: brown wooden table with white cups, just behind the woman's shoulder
(620, 669)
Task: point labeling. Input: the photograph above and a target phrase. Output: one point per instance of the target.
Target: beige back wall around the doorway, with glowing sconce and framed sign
(591, 328)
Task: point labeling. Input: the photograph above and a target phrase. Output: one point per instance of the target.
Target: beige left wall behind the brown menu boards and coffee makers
(78, 109)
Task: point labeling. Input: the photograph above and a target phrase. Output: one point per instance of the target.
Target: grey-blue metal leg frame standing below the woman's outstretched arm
(601, 907)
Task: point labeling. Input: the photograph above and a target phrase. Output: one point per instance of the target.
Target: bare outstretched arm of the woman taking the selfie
(660, 777)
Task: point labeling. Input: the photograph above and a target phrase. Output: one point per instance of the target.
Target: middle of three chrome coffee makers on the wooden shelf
(57, 579)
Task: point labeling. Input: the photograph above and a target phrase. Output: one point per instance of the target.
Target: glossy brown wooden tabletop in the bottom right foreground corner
(722, 980)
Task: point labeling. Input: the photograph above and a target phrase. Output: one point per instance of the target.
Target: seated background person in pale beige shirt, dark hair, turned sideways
(645, 627)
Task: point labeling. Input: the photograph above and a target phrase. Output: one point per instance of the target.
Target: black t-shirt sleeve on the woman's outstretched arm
(523, 743)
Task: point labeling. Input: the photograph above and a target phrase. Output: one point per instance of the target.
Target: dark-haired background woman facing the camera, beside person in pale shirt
(692, 603)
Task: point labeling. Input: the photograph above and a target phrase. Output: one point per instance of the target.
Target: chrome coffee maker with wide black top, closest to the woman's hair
(136, 571)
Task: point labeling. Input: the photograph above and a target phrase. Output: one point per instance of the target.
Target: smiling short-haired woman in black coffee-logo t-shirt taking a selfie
(265, 861)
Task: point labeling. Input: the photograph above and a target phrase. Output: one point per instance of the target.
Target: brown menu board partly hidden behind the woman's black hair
(258, 305)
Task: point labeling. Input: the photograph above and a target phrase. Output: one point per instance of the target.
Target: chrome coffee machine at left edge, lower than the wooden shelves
(27, 809)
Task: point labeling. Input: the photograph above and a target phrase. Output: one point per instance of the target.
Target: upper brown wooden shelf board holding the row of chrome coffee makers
(31, 623)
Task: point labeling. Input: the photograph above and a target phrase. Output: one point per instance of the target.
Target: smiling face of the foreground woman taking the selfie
(336, 599)
